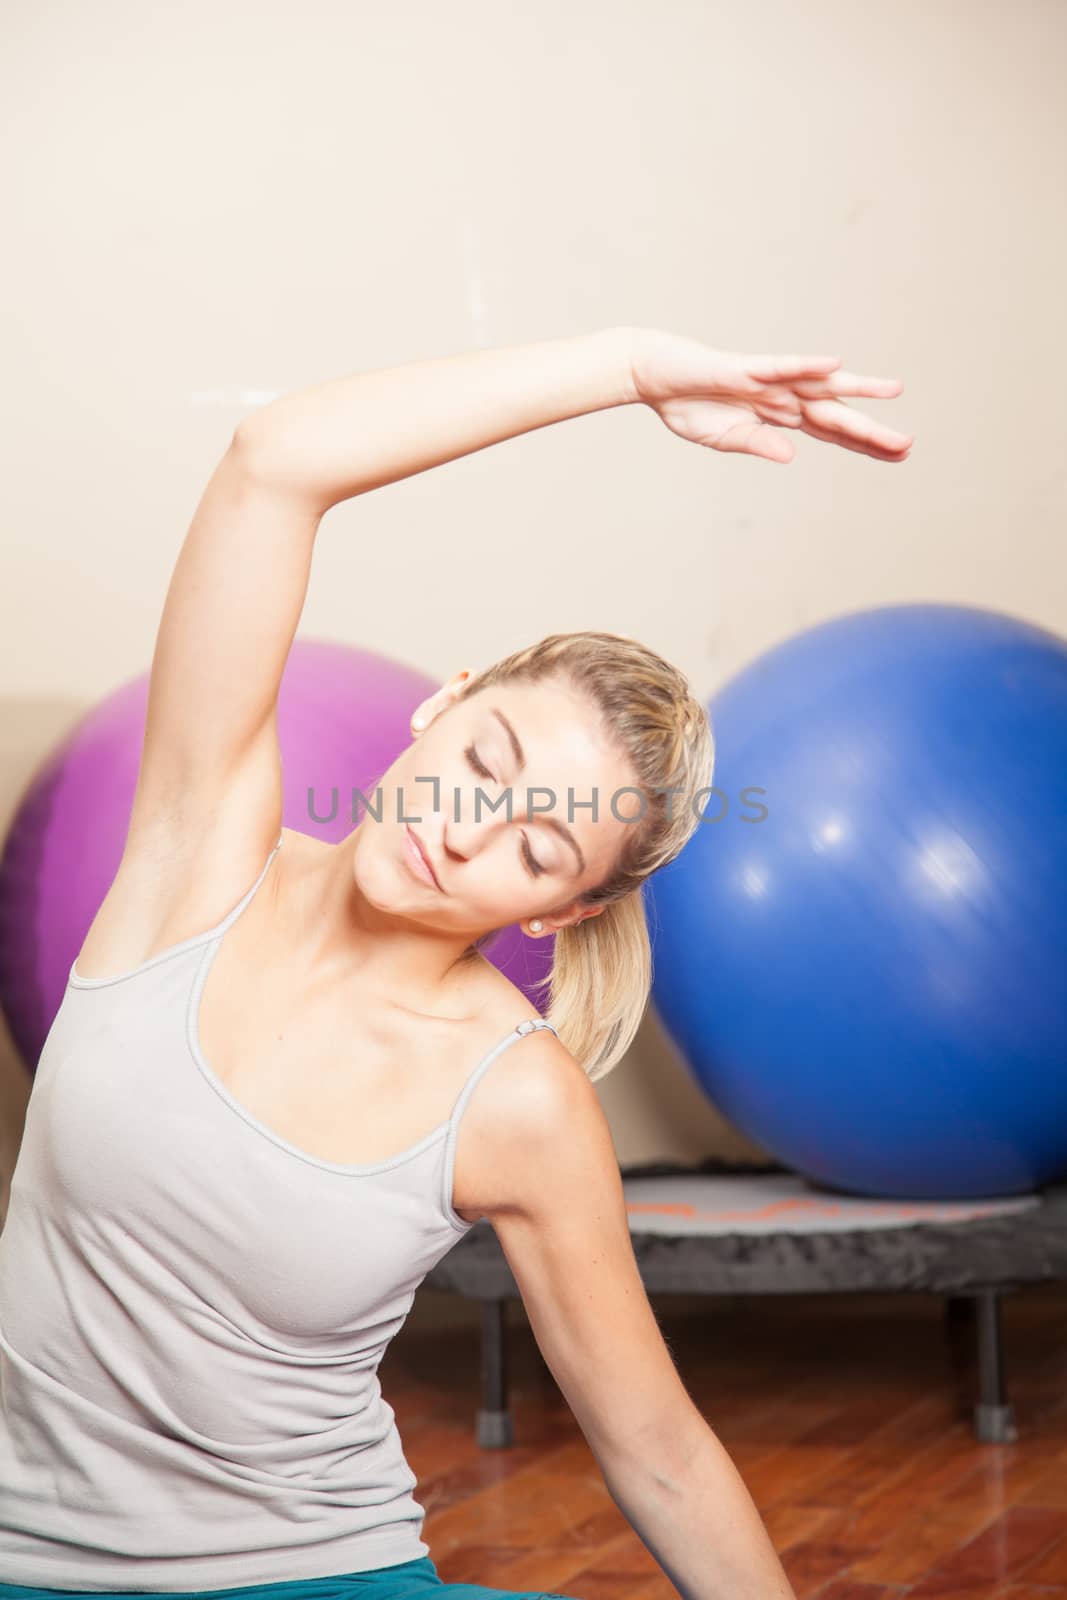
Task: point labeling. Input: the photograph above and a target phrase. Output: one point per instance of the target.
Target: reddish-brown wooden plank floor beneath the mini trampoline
(849, 1418)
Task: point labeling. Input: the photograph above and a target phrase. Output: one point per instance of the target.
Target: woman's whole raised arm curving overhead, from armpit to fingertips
(210, 762)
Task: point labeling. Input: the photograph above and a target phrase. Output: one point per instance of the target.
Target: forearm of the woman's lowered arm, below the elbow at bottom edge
(700, 1522)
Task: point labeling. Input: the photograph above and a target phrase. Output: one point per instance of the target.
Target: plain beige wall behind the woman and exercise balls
(225, 201)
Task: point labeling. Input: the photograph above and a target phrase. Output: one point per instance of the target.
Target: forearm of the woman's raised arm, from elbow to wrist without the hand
(354, 434)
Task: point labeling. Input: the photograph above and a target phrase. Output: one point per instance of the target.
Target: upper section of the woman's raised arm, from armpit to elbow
(210, 759)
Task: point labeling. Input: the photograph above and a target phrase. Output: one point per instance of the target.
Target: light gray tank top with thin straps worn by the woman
(193, 1313)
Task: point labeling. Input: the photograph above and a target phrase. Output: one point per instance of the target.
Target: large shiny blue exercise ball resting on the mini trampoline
(863, 951)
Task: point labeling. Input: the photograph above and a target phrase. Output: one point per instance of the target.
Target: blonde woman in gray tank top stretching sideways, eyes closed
(266, 1106)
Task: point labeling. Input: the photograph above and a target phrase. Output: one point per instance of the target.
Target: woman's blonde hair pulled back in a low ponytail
(602, 969)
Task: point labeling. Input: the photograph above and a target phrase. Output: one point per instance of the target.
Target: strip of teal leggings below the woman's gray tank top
(406, 1582)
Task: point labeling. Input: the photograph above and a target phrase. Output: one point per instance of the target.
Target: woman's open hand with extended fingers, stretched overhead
(735, 402)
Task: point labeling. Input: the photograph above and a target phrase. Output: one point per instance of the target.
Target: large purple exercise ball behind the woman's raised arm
(345, 716)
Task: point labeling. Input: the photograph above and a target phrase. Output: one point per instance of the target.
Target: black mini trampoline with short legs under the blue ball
(717, 1230)
